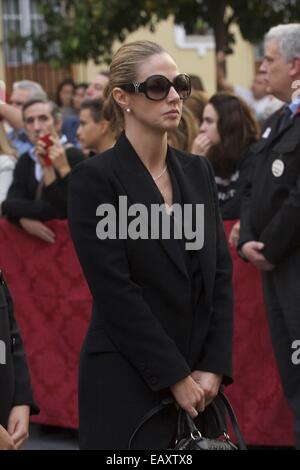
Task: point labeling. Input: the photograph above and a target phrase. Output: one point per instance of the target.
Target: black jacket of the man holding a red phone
(21, 197)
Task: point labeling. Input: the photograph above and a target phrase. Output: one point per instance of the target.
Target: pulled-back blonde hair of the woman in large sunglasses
(123, 69)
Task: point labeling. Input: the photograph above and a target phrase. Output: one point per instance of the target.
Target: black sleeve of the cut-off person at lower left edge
(15, 387)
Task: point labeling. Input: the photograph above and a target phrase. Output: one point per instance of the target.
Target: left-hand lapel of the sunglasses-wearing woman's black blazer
(140, 188)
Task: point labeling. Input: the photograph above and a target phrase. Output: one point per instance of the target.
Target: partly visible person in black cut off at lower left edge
(16, 401)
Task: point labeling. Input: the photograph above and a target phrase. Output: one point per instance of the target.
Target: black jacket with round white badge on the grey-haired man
(270, 209)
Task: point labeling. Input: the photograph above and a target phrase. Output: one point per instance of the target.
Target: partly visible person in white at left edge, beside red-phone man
(8, 160)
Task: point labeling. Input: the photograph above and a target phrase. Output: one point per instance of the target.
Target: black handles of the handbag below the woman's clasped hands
(170, 401)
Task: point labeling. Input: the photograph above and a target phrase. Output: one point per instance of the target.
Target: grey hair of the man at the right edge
(288, 39)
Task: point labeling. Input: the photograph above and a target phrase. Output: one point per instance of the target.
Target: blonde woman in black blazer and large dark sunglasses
(162, 314)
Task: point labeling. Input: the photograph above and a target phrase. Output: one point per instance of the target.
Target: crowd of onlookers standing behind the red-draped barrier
(221, 127)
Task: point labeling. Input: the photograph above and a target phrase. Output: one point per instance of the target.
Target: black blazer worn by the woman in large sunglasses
(141, 291)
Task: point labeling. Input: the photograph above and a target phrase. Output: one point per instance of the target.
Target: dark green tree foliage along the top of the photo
(80, 30)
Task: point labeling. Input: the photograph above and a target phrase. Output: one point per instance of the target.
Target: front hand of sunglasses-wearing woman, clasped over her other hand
(189, 396)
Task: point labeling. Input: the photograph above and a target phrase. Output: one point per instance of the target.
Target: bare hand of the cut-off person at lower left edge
(18, 424)
